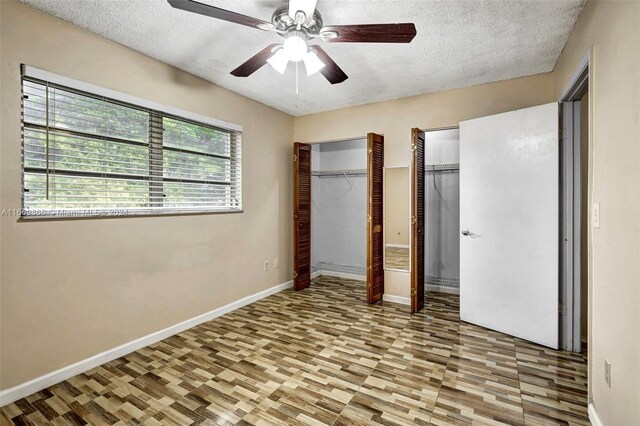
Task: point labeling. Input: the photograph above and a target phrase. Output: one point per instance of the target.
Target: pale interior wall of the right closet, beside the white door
(442, 221)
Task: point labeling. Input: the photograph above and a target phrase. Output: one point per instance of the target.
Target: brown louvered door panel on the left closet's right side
(375, 208)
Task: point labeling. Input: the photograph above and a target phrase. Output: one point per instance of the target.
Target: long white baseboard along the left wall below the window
(25, 389)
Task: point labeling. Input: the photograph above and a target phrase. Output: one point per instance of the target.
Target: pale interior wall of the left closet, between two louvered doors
(338, 207)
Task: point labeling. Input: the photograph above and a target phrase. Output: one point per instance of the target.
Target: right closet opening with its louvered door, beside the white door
(435, 217)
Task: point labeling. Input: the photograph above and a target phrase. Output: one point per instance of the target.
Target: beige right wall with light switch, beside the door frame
(612, 30)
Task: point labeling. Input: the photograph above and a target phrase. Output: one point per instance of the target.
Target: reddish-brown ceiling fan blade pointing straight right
(369, 33)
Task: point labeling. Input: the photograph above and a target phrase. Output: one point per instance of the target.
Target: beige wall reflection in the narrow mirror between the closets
(397, 192)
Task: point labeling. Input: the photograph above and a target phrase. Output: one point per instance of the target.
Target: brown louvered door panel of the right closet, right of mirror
(417, 219)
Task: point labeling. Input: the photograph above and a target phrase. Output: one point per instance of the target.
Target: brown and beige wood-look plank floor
(322, 356)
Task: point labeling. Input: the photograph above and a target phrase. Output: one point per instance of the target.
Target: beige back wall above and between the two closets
(394, 119)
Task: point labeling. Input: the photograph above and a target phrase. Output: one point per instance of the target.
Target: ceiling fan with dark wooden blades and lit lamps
(298, 22)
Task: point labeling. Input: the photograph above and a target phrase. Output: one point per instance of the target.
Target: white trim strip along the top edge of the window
(29, 71)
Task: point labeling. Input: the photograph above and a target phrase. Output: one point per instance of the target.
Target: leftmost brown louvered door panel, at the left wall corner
(301, 216)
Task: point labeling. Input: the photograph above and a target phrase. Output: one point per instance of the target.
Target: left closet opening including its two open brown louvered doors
(338, 212)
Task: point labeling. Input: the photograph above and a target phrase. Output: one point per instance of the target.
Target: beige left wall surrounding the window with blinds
(74, 288)
